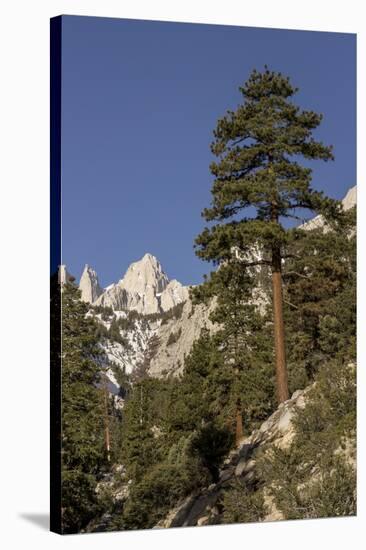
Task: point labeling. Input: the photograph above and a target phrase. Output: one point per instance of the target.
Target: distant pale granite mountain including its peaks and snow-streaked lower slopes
(164, 309)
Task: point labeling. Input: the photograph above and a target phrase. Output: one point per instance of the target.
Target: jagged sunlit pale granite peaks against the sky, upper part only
(144, 288)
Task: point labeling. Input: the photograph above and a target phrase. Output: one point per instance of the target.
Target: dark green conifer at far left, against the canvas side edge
(83, 447)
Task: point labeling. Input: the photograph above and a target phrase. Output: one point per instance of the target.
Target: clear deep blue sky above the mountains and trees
(140, 101)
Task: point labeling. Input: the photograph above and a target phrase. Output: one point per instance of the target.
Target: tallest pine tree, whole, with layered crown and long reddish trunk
(259, 183)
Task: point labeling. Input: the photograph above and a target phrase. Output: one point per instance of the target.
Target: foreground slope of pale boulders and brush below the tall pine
(321, 486)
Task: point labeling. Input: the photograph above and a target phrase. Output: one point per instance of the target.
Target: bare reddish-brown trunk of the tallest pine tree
(279, 328)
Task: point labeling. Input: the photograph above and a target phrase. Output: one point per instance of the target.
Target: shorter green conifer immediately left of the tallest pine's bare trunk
(243, 342)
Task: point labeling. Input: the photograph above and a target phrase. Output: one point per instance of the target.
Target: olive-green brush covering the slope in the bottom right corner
(316, 477)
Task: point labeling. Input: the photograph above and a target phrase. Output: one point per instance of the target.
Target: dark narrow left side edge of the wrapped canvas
(55, 262)
